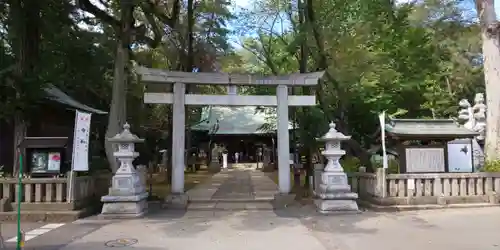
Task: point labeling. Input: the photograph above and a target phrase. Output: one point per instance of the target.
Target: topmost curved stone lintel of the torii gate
(214, 78)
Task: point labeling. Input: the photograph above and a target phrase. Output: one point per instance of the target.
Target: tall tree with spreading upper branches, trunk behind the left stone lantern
(126, 33)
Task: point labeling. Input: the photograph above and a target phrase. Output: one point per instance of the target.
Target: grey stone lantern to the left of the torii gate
(127, 196)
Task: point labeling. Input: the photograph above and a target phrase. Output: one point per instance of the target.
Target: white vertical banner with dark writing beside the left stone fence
(81, 137)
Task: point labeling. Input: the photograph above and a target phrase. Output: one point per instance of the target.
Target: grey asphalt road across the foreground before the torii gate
(459, 229)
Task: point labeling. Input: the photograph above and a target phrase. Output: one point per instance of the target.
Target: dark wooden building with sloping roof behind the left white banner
(56, 118)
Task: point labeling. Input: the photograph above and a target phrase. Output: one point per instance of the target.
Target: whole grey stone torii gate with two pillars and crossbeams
(156, 92)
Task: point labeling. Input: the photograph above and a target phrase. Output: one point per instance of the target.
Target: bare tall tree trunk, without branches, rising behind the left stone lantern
(118, 108)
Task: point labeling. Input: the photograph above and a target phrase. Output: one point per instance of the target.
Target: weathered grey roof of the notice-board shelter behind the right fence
(428, 128)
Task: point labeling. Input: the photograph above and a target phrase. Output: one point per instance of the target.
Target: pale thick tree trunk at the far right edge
(491, 54)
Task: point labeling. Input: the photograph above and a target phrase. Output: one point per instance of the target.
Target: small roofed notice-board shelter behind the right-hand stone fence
(422, 144)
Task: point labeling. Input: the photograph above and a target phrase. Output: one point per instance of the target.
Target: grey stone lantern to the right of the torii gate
(334, 193)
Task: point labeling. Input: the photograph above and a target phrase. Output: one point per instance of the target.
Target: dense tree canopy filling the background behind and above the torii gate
(415, 59)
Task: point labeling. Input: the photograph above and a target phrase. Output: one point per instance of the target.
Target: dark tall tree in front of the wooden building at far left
(25, 89)
